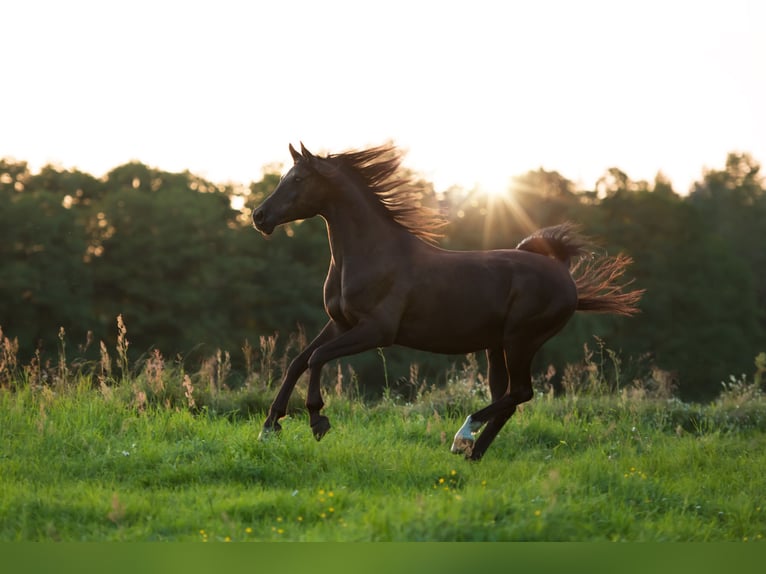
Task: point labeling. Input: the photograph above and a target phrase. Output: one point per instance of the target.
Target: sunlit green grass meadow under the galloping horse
(135, 460)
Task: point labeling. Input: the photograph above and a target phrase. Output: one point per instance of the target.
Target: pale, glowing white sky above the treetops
(475, 92)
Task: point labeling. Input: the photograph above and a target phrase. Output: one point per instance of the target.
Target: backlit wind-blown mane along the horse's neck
(379, 170)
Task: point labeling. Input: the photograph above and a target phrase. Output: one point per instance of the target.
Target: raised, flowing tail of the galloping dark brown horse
(596, 276)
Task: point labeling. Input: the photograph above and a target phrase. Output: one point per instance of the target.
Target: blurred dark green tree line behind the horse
(171, 254)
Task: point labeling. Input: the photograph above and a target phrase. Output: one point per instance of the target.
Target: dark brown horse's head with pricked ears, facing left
(301, 193)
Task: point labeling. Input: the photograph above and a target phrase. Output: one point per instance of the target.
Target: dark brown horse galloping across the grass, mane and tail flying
(389, 284)
